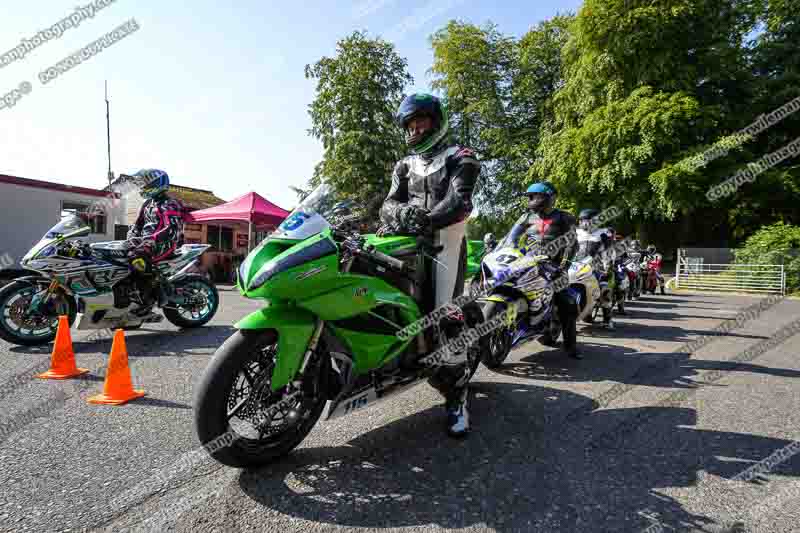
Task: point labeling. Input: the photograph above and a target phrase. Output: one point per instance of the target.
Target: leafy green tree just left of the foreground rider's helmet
(357, 93)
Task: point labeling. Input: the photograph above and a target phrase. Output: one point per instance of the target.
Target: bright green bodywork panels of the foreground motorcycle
(301, 283)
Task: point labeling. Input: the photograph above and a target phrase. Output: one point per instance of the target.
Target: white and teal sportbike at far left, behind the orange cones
(91, 284)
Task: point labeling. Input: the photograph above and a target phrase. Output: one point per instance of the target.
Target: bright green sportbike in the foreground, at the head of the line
(334, 328)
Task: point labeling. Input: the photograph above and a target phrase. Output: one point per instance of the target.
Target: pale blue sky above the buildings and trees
(214, 94)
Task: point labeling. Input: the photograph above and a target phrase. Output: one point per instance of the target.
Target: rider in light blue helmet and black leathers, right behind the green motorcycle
(534, 231)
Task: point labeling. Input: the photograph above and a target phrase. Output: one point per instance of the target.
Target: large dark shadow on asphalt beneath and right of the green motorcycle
(514, 472)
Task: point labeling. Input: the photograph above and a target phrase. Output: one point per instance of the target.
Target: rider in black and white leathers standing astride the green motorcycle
(431, 194)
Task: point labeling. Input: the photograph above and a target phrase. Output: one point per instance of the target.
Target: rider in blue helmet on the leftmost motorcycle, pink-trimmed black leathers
(156, 234)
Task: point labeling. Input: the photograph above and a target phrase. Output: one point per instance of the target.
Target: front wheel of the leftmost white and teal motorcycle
(21, 327)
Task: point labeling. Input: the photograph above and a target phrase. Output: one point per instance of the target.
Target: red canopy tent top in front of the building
(251, 207)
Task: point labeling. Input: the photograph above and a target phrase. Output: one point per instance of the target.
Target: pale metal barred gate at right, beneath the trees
(694, 272)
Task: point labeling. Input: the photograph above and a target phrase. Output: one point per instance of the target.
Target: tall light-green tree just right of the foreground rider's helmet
(497, 89)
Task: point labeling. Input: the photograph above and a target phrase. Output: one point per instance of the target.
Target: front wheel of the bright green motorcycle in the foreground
(239, 419)
